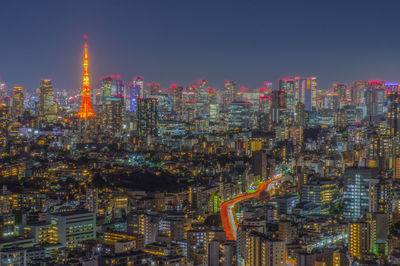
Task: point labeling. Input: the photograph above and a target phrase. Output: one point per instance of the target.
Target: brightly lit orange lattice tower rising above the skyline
(86, 110)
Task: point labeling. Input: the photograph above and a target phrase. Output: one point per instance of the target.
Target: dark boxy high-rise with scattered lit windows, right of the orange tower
(147, 116)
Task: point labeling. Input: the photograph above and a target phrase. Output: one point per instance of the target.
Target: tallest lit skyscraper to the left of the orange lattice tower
(47, 107)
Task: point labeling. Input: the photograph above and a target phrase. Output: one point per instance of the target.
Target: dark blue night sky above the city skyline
(183, 40)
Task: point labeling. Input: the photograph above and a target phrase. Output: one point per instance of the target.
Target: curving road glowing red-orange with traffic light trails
(227, 212)
